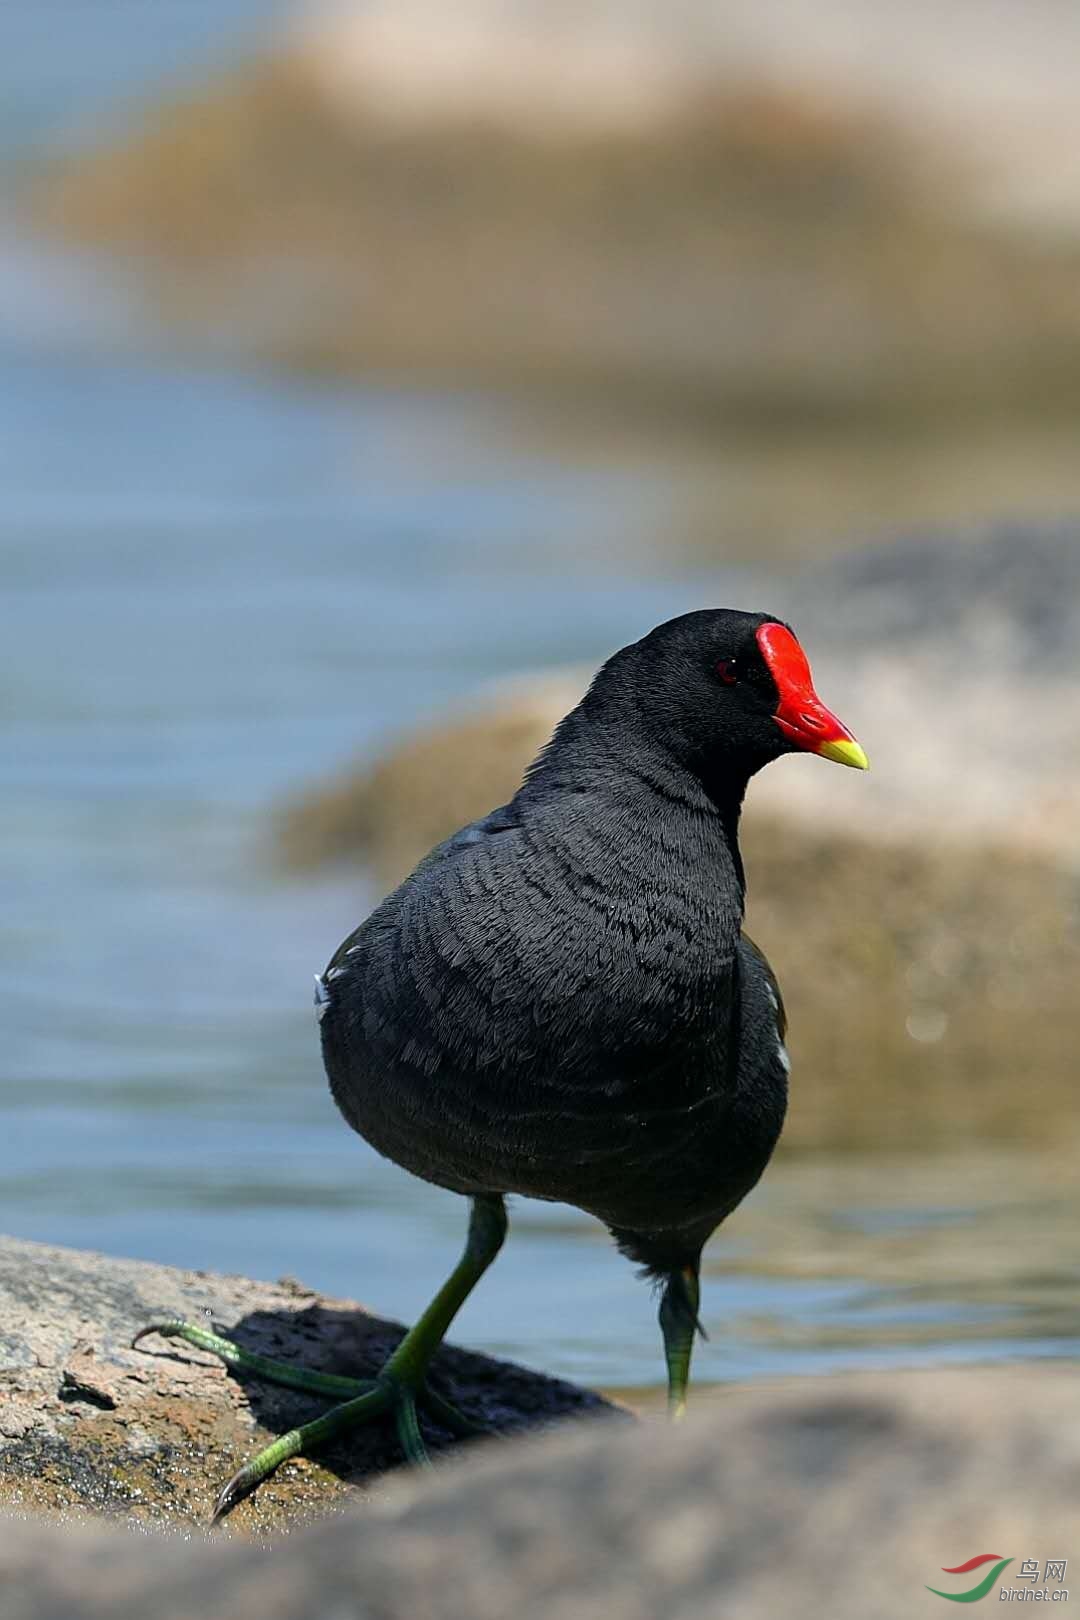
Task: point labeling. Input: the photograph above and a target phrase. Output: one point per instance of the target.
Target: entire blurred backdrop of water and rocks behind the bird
(368, 373)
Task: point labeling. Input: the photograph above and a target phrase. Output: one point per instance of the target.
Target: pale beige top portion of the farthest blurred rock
(616, 66)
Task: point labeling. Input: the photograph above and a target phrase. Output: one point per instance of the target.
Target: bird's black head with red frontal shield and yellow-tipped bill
(723, 694)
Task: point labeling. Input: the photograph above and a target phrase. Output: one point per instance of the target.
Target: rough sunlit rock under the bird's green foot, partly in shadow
(148, 1435)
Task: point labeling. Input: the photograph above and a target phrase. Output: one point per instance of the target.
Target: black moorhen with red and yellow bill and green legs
(561, 1000)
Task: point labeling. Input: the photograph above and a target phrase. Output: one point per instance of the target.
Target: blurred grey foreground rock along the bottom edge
(836, 1496)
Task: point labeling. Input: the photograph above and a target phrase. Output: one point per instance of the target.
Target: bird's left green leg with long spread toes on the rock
(399, 1389)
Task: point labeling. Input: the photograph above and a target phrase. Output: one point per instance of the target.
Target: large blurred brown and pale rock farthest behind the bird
(773, 215)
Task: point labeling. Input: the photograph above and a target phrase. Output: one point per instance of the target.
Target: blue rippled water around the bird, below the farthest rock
(218, 589)
